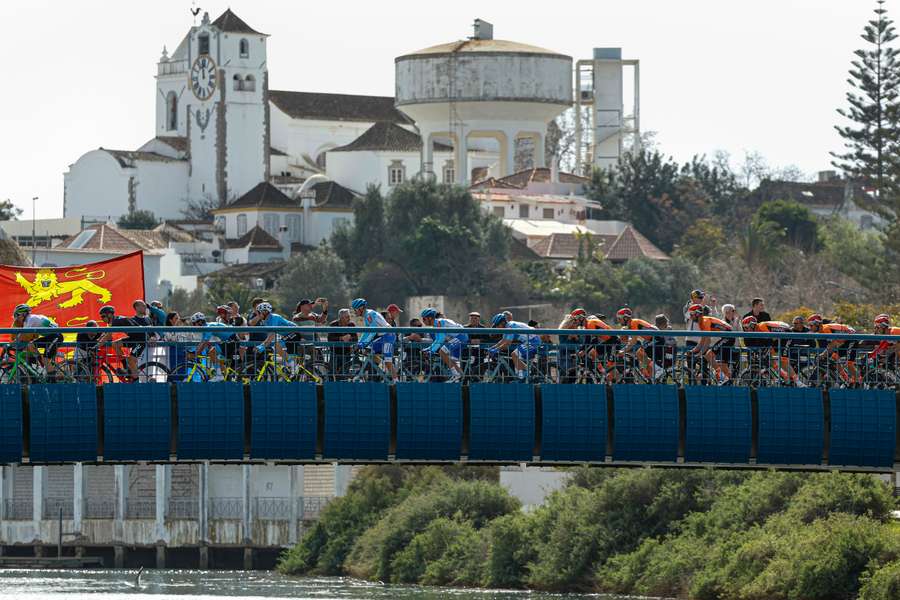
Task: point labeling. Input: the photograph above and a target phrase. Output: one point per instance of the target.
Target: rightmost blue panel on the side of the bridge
(863, 427)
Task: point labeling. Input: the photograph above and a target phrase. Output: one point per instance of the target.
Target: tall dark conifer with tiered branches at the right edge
(872, 139)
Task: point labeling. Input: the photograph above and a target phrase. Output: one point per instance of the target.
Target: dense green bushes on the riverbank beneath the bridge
(700, 534)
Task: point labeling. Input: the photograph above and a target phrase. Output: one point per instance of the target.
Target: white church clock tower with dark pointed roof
(224, 100)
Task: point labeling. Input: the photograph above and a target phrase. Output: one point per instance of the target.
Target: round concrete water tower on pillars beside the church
(483, 88)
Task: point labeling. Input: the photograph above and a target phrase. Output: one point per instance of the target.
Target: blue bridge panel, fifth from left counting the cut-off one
(283, 420)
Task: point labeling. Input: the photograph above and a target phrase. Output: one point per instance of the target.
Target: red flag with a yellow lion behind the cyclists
(73, 295)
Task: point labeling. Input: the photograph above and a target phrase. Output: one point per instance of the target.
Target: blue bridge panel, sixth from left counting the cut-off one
(357, 420)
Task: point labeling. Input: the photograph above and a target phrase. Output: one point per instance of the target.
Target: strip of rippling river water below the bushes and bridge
(111, 584)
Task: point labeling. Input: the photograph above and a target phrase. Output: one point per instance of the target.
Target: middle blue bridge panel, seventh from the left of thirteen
(429, 421)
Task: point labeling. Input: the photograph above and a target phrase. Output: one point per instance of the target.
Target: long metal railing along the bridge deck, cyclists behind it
(323, 354)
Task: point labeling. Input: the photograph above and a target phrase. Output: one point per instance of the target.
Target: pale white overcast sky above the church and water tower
(738, 75)
